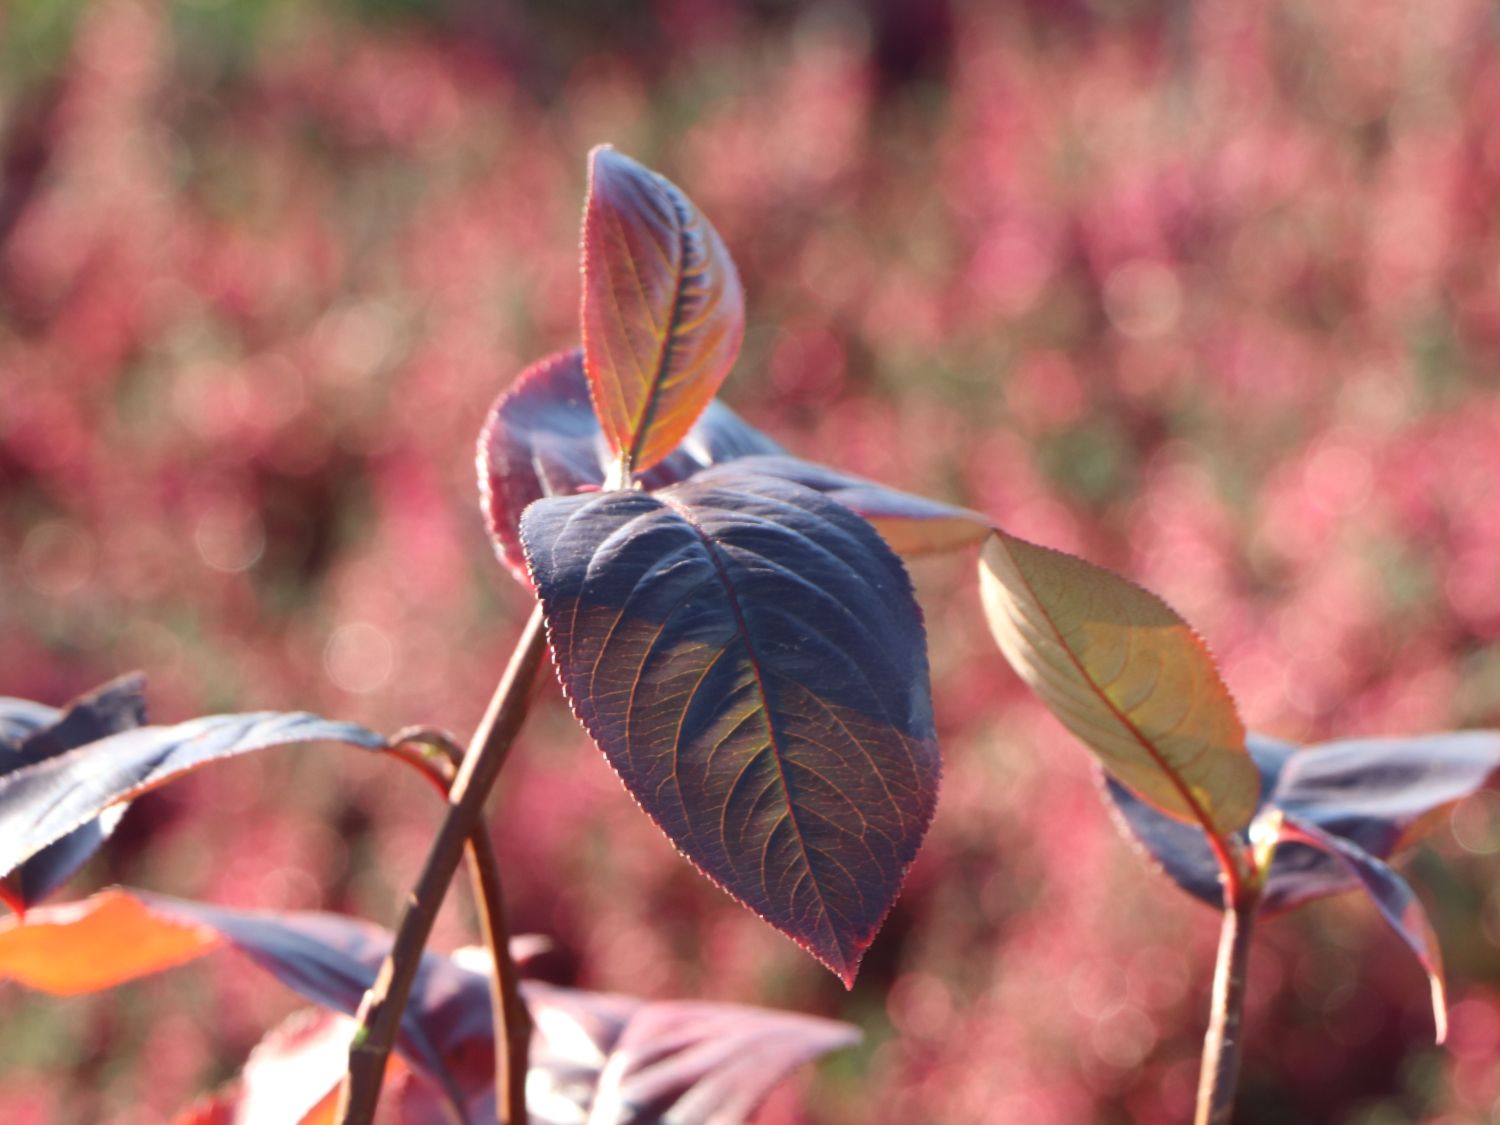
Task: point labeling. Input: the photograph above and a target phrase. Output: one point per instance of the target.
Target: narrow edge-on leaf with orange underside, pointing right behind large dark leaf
(911, 526)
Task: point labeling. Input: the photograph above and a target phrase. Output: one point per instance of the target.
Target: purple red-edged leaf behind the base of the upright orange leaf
(542, 439)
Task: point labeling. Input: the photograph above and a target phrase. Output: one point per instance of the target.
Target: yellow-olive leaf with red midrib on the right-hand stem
(1127, 676)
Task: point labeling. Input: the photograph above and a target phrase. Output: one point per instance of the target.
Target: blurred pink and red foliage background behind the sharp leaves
(1207, 292)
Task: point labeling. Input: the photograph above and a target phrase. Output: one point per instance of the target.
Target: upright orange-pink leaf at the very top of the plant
(664, 313)
